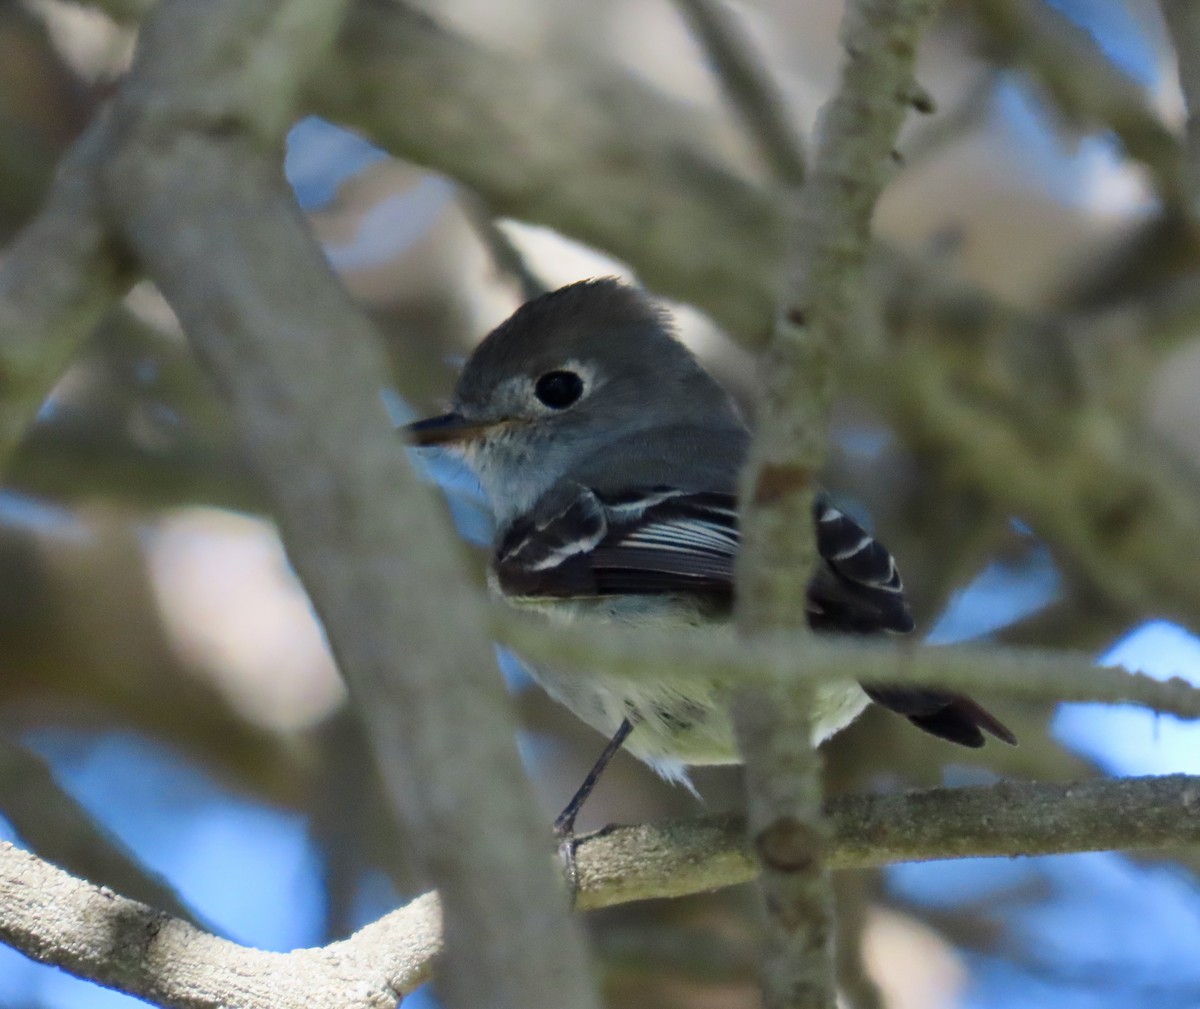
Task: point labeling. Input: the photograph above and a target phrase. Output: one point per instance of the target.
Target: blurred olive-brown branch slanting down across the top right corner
(1088, 89)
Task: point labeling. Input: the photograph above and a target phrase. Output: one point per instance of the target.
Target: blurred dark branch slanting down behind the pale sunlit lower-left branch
(51, 821)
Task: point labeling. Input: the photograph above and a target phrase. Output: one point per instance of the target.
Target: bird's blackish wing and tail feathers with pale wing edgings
(662, 540)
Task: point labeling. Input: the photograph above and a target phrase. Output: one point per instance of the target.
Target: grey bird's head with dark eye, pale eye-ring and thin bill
(567, 376)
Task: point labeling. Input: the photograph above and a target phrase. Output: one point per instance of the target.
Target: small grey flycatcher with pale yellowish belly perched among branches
(610, 460)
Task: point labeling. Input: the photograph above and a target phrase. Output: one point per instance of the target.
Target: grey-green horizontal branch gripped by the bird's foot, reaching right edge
(683, 857)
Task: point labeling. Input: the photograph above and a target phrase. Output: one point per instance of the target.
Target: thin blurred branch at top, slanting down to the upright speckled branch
(748, 86)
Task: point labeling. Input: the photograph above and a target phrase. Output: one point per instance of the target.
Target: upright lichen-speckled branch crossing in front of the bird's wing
(823, 291)
